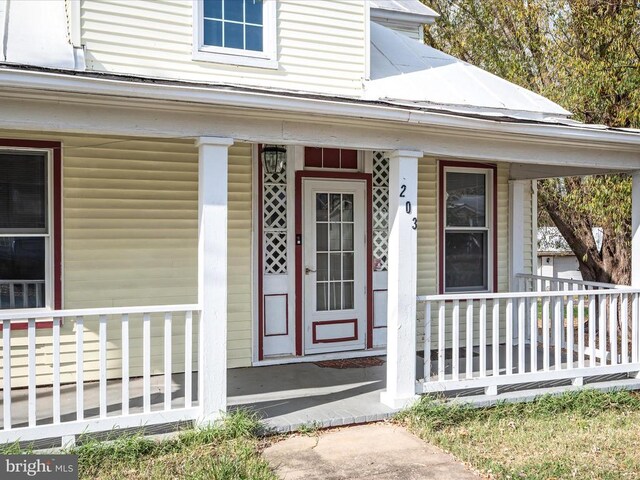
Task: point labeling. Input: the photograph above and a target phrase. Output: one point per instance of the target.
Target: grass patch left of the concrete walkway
(230, 450)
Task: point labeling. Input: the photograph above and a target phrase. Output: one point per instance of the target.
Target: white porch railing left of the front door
(64, 370)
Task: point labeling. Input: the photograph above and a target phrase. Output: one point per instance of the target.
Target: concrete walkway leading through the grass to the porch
(375, 451)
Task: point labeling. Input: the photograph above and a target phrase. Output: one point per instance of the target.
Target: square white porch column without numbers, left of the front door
(212, 276)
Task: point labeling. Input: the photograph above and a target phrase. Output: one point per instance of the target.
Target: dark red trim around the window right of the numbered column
(442, 164)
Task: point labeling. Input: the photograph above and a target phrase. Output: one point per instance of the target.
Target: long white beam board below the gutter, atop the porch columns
(180, 121)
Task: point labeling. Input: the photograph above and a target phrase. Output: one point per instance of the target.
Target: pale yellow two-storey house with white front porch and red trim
(223, 183)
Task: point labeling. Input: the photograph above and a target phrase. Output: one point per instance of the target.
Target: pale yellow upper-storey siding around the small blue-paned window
(321, 44)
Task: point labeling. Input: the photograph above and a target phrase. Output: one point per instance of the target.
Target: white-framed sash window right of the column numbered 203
(467, 236)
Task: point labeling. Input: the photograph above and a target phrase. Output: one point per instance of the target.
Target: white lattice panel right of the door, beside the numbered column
(380, 176)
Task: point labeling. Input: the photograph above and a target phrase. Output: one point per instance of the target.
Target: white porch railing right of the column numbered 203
(496, 339)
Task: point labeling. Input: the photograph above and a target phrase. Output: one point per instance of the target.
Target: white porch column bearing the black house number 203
(402, 278)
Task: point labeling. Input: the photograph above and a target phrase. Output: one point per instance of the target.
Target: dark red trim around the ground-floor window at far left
(56, 185)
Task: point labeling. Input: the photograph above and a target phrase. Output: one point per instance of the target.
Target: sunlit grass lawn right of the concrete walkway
(585, 435)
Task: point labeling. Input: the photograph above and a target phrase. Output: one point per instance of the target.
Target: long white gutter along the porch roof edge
(75, 87)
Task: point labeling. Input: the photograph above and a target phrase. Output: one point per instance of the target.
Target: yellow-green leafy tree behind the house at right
(585, 56)
